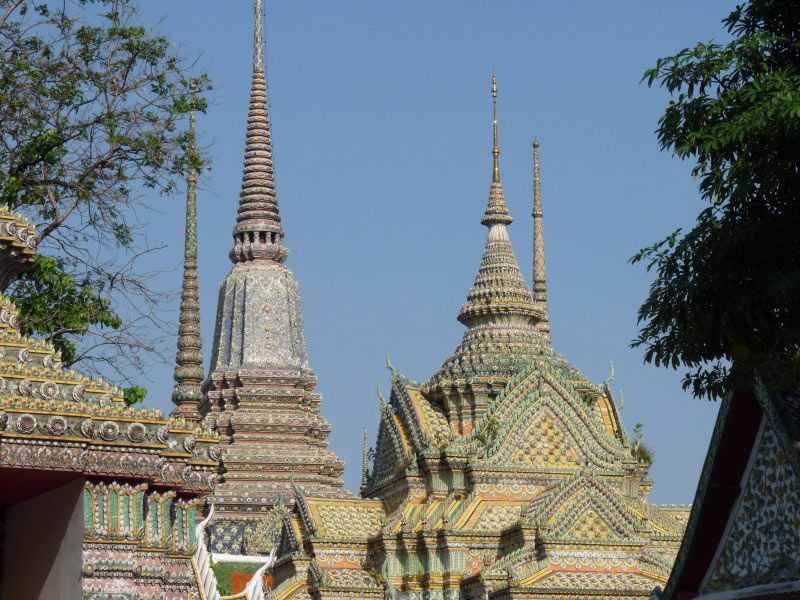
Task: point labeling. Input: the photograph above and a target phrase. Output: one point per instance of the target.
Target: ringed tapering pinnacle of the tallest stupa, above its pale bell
(258, 235)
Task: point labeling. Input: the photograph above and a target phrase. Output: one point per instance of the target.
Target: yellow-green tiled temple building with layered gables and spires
(507, 475)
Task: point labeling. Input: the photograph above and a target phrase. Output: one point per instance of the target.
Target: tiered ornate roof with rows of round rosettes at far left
(57, 419)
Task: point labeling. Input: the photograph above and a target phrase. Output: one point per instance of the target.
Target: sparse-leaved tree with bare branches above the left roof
(92, 106)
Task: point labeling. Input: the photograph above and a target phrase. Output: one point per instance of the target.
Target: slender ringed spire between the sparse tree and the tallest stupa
(189, 374)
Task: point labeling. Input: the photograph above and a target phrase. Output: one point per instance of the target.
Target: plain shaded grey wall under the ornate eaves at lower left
(43, 541)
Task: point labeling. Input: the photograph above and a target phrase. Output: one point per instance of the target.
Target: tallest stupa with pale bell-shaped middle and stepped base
(260, 388)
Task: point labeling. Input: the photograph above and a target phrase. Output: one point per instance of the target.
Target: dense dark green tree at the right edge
(726, 297)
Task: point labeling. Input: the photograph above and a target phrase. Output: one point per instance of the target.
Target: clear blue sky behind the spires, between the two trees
(381, 118)
